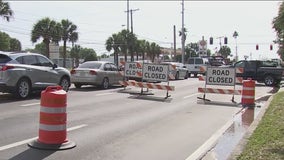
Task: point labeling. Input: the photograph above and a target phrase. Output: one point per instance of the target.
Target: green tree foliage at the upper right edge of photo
(278, 25)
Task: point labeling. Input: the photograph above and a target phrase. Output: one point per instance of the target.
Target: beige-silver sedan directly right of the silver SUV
(97, 73)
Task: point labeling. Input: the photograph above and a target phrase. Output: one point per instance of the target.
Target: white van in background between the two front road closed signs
(193, 65)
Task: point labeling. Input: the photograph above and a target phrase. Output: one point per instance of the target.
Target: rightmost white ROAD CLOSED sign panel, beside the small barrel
(220, 76)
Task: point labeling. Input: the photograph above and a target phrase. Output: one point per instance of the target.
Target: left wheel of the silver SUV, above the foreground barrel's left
(23, 88)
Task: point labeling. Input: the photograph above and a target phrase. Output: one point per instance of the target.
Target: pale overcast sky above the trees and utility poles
(154, 21)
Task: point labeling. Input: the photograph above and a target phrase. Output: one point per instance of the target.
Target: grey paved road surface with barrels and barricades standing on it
(119, 124)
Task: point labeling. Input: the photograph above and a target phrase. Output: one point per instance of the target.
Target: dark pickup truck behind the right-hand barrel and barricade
(265, 72)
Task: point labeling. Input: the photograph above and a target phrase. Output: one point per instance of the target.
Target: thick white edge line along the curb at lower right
(201, 151)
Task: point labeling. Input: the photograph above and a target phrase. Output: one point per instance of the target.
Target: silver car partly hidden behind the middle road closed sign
(180, 71)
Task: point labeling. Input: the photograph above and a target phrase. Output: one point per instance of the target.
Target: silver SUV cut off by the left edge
(22, 73)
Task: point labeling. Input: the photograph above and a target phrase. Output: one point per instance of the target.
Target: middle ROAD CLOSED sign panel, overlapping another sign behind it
(155, 72)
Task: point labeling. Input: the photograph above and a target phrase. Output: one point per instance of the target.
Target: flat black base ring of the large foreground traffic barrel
(63, 146)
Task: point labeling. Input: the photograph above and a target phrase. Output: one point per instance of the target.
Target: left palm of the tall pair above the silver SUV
(48, 30)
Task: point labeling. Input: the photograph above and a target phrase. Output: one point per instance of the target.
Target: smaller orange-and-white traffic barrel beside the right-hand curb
(248, 93)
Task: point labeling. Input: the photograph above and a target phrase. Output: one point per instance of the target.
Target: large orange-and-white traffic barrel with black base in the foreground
(52, 121)
